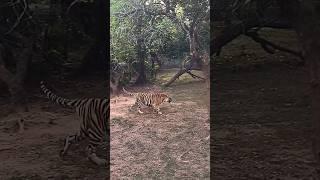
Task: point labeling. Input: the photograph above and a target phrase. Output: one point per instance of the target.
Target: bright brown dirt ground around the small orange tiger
(172, 145)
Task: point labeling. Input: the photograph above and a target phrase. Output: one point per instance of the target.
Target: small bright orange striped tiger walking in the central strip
(153, 100)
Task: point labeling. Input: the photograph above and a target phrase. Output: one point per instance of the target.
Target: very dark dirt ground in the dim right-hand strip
(261, 115)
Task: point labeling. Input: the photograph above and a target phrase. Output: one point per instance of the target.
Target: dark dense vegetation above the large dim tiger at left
(49, 39)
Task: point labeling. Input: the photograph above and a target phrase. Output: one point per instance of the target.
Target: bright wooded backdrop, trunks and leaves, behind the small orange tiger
(147, 35)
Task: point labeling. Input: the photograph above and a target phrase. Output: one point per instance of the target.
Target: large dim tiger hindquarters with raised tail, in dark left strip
(94, 115)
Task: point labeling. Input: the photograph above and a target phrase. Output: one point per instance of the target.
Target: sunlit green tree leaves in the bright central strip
(161, 33)
